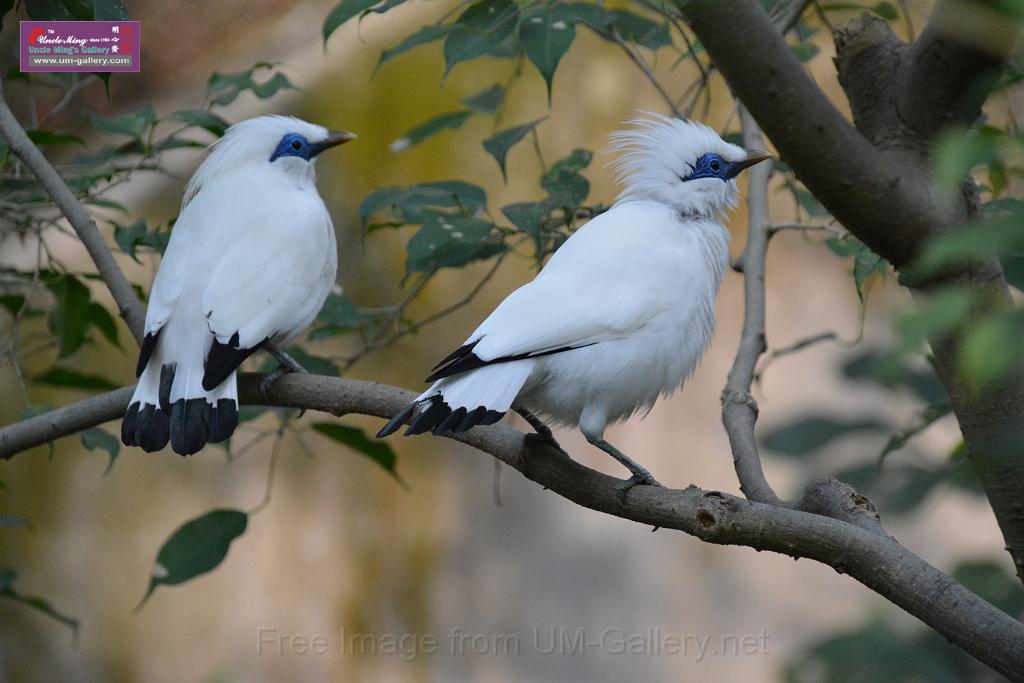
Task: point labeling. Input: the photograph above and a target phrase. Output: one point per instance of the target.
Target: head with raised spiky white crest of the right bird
(684, 164)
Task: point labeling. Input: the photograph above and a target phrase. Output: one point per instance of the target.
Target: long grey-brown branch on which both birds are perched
(879, 563)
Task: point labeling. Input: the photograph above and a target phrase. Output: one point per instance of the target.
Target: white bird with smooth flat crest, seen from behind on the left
(251, 261)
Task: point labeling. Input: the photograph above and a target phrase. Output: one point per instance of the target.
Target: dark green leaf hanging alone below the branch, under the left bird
(197, 547)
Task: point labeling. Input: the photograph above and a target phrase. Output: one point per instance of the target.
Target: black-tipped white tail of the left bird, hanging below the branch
(170, 405)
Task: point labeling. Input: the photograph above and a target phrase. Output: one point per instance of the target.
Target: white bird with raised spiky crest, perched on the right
(622, 313)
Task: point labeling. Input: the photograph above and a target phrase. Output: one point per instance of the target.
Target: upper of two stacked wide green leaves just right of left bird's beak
(415, 204)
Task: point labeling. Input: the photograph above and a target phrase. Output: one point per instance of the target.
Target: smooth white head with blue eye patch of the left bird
(282, 142)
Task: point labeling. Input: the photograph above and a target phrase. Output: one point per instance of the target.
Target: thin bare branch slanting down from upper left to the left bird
(130, 307)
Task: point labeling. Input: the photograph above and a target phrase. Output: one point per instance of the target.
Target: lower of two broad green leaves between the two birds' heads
(450, 242)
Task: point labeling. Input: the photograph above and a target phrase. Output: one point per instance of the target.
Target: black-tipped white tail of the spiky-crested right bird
(481, 397)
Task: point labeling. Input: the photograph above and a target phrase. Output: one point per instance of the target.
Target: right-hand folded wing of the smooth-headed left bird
(270, 282)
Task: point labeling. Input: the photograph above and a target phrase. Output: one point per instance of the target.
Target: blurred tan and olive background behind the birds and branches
(497, 571)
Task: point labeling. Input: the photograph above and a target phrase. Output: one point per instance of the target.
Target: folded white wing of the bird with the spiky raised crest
(591, 292)
